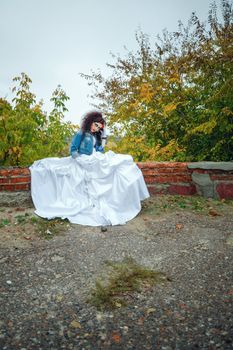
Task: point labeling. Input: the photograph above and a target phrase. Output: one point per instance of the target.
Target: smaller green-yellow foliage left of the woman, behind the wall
(26, 132)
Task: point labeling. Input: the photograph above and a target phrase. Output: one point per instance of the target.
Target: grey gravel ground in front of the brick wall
(45, 284)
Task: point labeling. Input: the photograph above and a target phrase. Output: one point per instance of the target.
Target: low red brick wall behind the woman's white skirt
(209, 179)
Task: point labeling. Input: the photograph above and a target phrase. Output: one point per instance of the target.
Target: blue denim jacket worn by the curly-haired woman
(83, 144)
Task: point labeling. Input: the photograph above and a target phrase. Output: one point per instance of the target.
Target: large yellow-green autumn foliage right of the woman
(173, 101)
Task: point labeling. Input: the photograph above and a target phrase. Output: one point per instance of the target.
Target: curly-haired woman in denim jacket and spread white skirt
(90, 187)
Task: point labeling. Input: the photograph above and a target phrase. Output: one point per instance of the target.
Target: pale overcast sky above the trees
(53, 41)
